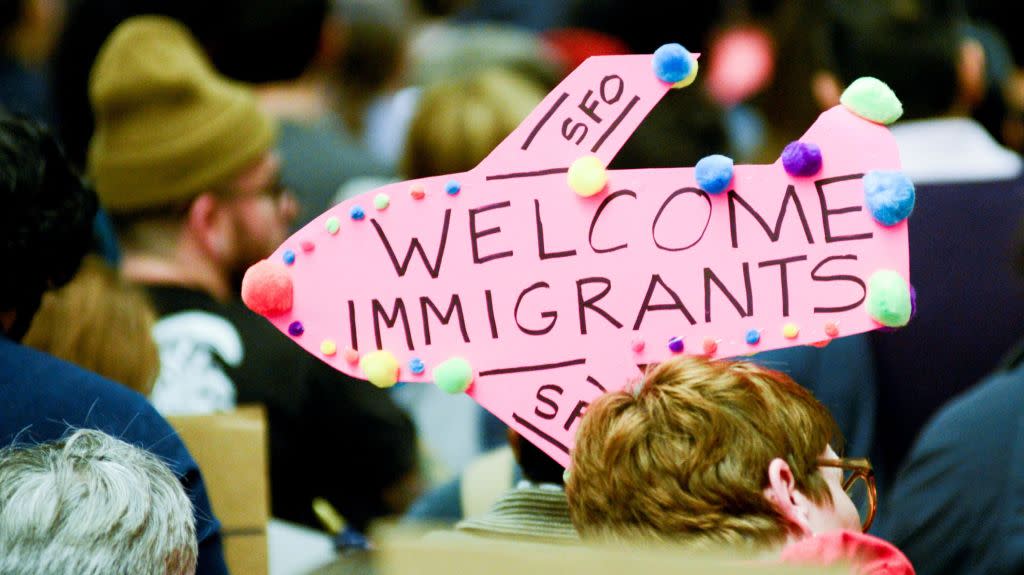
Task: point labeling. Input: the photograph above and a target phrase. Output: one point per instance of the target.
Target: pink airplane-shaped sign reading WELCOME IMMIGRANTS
(554, 298)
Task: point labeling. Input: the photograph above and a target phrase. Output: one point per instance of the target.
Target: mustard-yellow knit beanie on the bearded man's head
(168, 126)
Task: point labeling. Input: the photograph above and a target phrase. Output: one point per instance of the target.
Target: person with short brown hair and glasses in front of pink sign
(721, 454)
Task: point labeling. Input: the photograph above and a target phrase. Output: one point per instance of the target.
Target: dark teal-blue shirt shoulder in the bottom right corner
(958, 506)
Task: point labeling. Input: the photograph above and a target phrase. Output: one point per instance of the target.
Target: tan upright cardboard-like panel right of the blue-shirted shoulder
(232, 453)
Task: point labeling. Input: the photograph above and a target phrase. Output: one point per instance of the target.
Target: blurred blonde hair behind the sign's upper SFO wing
(461, 120)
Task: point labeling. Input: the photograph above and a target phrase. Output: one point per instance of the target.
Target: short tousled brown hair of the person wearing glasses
(685, 458)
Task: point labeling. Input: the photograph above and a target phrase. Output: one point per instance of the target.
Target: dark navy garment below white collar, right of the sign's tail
(970, 305)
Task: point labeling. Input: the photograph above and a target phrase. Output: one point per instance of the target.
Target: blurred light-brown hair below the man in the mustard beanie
(103, 324)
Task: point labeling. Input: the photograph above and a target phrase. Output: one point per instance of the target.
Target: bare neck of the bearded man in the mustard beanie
(197, 274)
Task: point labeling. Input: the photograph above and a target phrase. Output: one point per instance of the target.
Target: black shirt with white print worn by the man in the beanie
(331, 436)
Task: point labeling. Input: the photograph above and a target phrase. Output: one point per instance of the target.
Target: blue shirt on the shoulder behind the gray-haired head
(42, 397)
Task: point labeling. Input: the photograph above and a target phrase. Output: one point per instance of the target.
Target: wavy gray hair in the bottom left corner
(93, 505)
